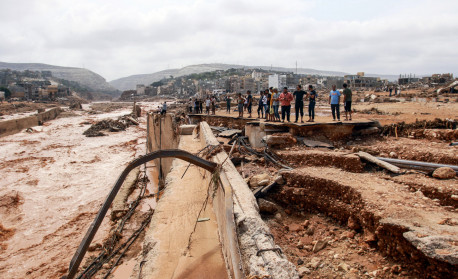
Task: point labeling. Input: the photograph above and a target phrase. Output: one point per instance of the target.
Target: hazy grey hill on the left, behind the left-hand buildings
(84, 77)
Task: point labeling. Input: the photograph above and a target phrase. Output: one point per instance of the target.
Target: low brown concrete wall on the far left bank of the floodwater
(13, 126)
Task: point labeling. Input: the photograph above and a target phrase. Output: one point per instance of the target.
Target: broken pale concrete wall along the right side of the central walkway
(254, 239)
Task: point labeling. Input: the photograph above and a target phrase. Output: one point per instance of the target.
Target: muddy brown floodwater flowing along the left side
(54, 181)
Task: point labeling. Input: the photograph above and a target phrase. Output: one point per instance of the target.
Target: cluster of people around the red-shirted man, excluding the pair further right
(271, 101)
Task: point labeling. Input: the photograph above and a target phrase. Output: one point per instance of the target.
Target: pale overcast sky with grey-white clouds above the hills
(120, 38)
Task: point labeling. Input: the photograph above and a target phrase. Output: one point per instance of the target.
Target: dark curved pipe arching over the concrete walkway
(166, 153)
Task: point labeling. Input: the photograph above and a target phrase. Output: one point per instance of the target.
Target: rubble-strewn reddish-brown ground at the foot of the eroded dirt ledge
(345, 255)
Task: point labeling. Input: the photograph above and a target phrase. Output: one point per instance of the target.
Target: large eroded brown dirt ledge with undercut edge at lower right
(403, 225)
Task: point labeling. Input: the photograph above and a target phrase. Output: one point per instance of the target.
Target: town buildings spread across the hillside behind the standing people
(234, 81)
